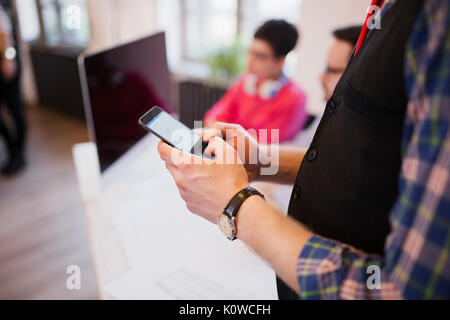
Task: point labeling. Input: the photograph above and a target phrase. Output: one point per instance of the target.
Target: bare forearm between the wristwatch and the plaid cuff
(276, 238)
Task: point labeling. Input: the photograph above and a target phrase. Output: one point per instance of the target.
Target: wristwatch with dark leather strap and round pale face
(227, 220)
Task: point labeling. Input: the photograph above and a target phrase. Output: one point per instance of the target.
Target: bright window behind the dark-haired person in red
(219, 22)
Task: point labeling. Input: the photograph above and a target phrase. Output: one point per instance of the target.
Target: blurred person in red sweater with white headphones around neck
(264, 98)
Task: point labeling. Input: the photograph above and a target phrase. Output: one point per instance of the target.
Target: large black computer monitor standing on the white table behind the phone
(120, 85)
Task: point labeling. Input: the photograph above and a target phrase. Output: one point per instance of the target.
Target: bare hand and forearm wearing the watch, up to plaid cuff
(207, 186)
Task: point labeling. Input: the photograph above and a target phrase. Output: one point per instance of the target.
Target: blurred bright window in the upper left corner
(54, 23)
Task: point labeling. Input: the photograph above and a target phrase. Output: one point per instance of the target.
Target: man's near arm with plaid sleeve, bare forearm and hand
(415, 263)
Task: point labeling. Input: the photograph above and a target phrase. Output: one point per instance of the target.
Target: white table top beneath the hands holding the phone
(147, 245)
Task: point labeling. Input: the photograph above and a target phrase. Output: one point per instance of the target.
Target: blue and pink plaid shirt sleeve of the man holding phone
(415, 264)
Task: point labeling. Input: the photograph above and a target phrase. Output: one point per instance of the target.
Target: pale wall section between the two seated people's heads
(318, 19)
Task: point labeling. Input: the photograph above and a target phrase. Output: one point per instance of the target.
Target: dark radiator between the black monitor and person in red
(195, 98)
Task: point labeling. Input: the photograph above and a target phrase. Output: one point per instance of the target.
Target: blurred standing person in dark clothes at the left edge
(11, 98)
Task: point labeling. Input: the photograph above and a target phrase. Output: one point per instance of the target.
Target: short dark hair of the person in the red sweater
(281, 36)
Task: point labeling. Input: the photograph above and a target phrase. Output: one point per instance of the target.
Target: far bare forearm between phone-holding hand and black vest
(288, 162)
